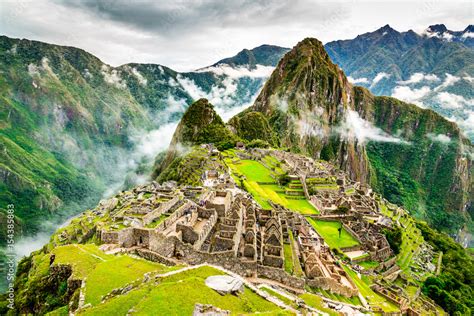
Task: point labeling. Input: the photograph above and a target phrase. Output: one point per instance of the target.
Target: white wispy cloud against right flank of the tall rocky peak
(364, 131)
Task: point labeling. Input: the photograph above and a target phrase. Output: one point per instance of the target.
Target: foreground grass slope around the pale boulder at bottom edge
(177, 294)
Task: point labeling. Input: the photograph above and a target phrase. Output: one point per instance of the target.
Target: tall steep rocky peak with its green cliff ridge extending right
(420, 160)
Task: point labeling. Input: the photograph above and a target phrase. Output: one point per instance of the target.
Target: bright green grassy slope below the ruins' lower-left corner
(104, 272)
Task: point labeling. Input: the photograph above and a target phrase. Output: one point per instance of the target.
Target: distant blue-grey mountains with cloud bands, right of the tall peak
(434, 69)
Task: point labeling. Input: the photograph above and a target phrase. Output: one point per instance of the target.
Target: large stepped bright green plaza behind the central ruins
(259, 180)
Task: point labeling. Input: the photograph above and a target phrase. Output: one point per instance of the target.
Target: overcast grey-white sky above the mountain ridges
(186, 35)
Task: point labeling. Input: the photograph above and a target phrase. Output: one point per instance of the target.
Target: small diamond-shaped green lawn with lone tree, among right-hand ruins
(329, 231)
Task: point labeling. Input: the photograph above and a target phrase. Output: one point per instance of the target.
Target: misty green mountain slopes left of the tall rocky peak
(73, 127)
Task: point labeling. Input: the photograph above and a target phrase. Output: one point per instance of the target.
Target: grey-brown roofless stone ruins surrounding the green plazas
(222, 225)
